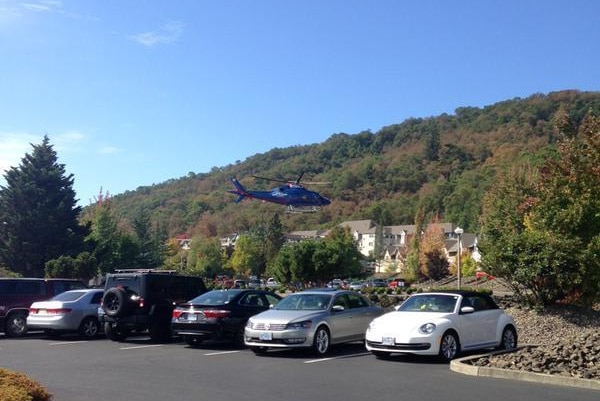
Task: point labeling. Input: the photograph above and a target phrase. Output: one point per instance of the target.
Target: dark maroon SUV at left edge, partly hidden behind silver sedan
(17, 295)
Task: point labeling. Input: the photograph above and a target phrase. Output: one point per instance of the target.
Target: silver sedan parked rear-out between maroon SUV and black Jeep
(71, 311)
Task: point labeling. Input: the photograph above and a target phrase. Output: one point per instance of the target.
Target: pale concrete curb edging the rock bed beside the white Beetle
(462, 365)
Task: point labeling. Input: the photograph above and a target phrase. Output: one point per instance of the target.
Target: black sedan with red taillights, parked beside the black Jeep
(220, 314)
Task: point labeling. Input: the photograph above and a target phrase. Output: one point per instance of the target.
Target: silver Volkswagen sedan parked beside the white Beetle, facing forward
(314, 319)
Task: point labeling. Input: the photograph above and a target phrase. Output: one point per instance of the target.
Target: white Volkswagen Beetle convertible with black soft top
(442, 323)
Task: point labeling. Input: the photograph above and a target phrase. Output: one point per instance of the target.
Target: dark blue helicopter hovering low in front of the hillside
(297, 198)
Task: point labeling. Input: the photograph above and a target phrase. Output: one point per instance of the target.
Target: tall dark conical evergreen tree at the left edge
(38, 213)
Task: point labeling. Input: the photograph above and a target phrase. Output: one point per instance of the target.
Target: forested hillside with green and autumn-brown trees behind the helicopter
(441, 165)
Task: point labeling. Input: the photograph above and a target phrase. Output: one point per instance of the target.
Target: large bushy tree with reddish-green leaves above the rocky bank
(541, 231)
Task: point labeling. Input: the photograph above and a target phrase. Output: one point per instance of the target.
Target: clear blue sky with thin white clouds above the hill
(133, 93)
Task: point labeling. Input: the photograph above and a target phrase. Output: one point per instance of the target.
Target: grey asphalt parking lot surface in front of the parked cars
(137, 369)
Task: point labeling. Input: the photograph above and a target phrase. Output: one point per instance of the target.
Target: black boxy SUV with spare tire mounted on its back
(138, 300)
